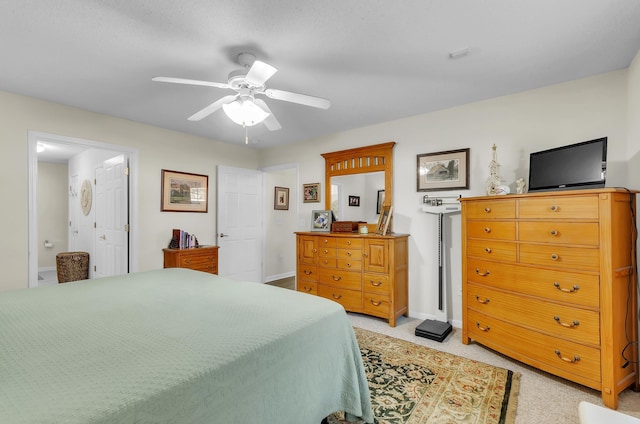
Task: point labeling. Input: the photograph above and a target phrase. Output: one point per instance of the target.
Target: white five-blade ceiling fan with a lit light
(243, 107)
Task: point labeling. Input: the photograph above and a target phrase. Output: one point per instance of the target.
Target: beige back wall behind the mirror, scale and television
(518, 124)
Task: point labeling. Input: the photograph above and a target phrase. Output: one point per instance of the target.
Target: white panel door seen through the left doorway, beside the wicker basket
(111, 226)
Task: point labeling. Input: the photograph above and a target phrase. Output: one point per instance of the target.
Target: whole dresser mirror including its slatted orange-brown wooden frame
(358, 182)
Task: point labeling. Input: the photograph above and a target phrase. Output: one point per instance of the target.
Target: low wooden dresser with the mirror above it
(365, 273)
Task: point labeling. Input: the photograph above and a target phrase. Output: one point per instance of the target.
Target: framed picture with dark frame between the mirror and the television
(443, 170)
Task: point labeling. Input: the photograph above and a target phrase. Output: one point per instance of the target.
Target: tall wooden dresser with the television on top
(549, 280)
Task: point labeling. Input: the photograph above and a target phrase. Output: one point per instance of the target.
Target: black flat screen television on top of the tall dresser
(576, 166)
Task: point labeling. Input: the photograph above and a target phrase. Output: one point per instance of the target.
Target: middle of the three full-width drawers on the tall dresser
(566, 322)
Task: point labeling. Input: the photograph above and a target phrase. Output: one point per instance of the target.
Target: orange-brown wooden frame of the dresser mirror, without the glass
(374, 158)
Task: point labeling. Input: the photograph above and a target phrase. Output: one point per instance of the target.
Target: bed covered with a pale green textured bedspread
(176, 346)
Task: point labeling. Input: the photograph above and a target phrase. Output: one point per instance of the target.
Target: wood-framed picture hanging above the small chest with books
(184, 192)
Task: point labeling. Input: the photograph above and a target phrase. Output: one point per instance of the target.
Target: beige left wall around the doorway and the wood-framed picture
(157, 148)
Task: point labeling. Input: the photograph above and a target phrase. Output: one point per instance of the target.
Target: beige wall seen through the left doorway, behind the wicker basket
(53, 196)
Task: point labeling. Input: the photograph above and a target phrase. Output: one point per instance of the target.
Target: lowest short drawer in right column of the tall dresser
(579, 258)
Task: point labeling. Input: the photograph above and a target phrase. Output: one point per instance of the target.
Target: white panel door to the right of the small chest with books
(240, 226)
